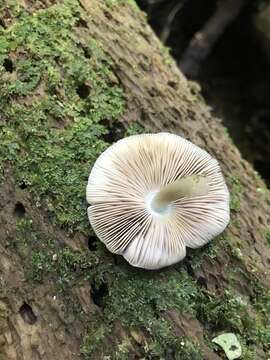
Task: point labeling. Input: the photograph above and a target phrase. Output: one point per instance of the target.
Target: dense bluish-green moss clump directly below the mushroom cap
(135, 297)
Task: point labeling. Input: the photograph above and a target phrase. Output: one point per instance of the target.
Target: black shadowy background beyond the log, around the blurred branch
(234, 78)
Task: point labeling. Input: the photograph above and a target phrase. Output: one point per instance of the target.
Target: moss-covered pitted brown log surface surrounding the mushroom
(74, 77)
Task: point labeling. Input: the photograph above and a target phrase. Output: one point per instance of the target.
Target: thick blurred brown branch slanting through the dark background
(203, 41)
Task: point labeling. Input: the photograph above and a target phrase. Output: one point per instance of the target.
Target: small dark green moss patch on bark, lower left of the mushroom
(45, 259)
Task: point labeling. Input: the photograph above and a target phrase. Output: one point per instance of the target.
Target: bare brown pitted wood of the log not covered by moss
(159, 97)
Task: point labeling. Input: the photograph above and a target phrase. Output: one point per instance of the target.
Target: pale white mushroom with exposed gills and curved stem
(152, 195)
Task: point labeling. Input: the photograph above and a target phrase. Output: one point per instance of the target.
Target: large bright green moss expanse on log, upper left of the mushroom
(53, 140)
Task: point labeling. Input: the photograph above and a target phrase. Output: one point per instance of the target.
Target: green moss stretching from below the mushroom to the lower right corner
(139, 299)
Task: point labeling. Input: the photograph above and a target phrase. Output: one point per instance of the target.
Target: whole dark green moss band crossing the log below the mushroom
(138, 299)
